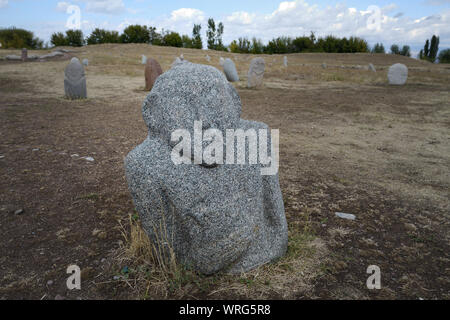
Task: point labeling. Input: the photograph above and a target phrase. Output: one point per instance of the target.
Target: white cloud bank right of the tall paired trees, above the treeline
(297, 18)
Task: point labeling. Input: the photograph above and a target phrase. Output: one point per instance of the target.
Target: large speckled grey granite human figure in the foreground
(215, 217)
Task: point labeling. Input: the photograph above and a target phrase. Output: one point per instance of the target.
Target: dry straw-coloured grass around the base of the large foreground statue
(152, 271)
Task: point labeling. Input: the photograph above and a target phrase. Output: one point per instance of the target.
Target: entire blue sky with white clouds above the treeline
(397, 21)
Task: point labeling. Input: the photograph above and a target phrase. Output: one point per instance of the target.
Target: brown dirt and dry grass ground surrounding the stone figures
(349, 143)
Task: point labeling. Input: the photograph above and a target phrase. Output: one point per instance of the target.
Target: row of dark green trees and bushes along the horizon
(20, 38)
